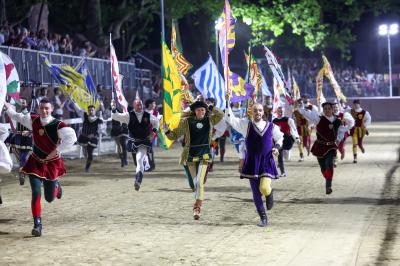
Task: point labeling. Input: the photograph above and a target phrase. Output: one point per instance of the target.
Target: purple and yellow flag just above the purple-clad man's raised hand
(240, 89)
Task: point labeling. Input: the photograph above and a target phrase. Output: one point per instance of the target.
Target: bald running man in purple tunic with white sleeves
(259, 165)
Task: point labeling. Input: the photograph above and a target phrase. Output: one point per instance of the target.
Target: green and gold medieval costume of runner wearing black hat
(196, 154)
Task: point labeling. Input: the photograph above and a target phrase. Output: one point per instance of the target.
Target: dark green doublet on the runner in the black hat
(199, 139)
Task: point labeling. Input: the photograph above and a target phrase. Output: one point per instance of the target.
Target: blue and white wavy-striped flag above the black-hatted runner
(210, 83)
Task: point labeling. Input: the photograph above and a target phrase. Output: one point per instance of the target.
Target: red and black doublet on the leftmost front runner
(45, 140)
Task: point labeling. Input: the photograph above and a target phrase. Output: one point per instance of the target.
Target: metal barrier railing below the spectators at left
(31, 69)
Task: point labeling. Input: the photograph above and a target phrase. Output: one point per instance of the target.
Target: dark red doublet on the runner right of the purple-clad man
(326, 137)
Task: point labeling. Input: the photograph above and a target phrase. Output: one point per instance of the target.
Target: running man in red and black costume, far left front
(44, 165)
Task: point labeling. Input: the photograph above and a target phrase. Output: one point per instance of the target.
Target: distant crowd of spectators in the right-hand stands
(353, 81)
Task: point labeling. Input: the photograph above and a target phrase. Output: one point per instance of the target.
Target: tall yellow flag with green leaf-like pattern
(172, 94)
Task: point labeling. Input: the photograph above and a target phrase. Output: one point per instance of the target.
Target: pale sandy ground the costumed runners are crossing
(102, 220)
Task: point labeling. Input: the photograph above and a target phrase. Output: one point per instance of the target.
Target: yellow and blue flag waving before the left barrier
(72, 83)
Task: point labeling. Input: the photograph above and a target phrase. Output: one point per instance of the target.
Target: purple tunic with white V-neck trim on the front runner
(259, 161)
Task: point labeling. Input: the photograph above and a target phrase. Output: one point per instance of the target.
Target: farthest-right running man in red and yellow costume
(362, 121)
